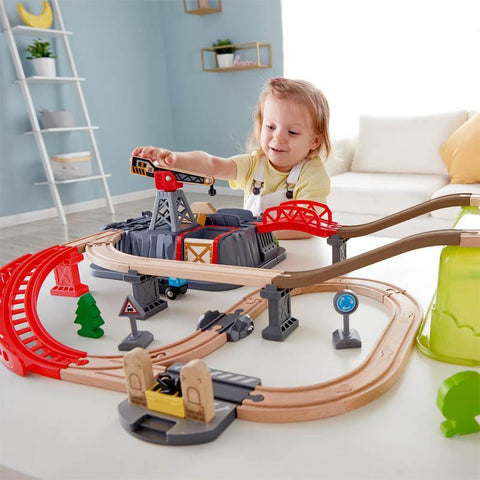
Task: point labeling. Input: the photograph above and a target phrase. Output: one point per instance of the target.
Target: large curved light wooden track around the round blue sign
(380, 370)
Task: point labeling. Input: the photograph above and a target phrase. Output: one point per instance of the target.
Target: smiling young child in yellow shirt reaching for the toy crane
(289, 135)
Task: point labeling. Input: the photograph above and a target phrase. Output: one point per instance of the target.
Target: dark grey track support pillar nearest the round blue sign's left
(280, 321)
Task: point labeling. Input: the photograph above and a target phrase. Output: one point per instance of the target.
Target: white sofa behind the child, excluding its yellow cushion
(393, 164)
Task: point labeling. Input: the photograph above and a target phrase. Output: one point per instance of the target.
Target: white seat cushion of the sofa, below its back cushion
(381, 193)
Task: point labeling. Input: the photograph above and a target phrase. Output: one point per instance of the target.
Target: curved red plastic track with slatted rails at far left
(25, 345)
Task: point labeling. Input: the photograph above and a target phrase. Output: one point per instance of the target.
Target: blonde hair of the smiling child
(305, 94)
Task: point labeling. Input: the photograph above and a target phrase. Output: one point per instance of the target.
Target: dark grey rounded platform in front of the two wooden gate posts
(164, 429)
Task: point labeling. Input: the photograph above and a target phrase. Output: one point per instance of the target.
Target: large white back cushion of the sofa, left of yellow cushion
(404, 144)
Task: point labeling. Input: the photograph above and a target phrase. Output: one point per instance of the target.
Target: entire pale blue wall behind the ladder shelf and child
(145, 85)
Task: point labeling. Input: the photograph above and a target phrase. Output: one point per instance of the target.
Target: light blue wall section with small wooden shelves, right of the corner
(212, 111)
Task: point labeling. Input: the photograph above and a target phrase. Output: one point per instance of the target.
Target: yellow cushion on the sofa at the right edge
(461, 152)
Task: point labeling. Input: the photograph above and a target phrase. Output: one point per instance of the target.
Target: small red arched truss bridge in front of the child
(304, 215)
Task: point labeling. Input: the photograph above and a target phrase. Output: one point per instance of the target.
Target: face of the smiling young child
(287, 134)
